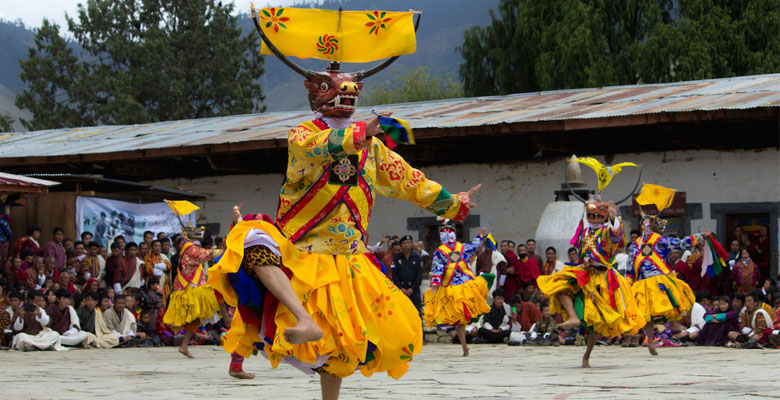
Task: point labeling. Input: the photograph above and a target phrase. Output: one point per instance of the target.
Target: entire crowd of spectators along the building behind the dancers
(79, 293)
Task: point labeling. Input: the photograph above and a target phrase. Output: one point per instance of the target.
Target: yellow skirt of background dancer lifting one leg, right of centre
(603, 300)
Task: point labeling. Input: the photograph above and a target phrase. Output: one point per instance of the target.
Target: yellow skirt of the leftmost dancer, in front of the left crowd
(191, 304)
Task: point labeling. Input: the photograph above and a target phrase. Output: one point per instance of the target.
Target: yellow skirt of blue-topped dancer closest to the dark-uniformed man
(456, 304)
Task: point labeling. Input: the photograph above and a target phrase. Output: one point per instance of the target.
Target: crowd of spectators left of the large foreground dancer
(81, 294)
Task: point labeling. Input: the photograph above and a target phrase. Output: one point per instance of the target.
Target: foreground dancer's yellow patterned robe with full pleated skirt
(324, 208)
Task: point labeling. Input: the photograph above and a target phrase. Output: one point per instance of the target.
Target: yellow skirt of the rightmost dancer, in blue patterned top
(663, 297)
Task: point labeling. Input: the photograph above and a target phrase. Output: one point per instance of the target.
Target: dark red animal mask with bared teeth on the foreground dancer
(333, 93)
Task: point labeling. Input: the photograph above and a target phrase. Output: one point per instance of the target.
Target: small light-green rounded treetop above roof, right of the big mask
(418, 84)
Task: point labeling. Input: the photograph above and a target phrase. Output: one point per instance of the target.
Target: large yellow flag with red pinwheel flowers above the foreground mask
(344, 36)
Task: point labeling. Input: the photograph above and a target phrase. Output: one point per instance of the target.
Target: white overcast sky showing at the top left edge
(32, 12)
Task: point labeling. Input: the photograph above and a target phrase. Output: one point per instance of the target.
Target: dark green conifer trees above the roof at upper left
(145, 61)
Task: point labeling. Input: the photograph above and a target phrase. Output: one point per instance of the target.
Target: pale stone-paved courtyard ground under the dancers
(490, 372)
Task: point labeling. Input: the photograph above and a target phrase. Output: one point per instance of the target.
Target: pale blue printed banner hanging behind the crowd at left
(107, 219)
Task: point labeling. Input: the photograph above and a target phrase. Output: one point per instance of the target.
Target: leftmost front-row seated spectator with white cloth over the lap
(30, 324)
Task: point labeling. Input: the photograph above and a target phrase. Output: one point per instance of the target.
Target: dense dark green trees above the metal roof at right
(542, 45)
